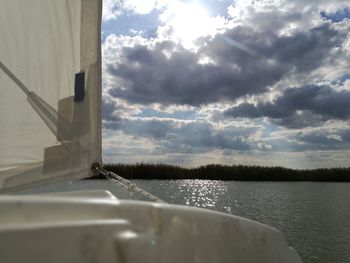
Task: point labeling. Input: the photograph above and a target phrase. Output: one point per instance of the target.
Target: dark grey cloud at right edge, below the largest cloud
(299, 107)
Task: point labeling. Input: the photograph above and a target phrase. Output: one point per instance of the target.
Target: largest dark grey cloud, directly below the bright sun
(151, 76)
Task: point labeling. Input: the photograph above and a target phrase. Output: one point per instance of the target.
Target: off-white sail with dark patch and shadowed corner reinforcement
(50, 84)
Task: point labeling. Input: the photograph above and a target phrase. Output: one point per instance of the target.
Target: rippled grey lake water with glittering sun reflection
(313, 216)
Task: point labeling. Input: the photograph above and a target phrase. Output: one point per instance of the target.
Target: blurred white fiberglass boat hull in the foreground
(96, 227)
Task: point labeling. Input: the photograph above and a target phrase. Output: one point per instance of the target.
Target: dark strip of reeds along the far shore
(225, 172)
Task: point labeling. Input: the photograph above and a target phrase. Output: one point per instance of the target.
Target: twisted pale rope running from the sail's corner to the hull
(127, 185)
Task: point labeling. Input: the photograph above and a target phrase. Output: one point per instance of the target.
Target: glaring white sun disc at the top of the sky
(189, 21)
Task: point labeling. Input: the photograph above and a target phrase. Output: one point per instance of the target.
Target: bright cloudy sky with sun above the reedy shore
(260, 82)
